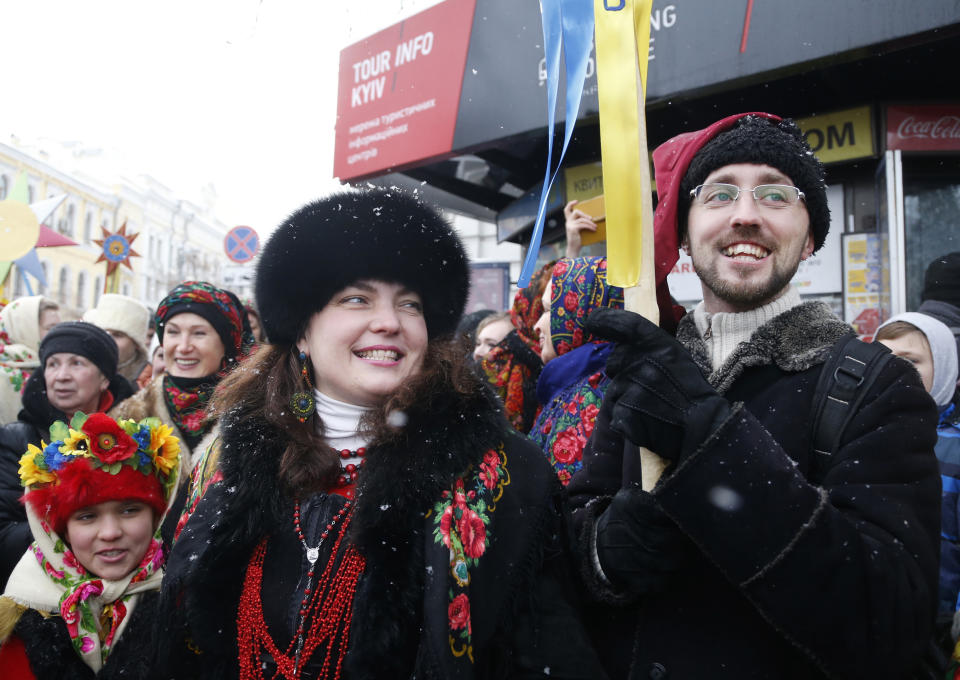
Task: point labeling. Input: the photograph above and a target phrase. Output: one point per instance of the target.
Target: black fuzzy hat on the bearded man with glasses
(763, 141)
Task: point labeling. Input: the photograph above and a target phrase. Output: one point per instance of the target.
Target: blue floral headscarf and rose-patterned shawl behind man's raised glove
(571, 386)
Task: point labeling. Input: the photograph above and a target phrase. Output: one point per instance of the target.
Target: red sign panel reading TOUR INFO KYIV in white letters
(399, 91)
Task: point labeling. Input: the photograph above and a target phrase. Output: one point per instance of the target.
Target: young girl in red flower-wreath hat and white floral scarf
(82, 600)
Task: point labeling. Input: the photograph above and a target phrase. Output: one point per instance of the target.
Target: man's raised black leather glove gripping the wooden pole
(658, 398)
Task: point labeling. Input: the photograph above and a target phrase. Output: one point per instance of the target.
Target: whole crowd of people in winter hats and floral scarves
(351, 478)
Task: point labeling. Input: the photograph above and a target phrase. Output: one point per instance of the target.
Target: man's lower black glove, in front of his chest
(638, 546)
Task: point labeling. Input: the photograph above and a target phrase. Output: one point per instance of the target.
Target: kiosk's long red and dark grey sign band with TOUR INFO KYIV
(465, 73)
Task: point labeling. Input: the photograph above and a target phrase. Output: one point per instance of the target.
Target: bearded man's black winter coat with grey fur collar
(798, 568)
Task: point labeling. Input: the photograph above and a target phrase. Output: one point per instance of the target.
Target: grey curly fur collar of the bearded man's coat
(794, 341)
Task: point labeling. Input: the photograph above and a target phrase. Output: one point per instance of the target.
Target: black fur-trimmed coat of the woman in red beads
(521, 592)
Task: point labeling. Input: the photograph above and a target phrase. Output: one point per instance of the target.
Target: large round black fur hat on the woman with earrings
(379, 234)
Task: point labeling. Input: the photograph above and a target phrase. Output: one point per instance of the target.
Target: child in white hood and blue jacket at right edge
(929, 345)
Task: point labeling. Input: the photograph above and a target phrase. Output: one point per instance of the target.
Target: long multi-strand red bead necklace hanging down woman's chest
(328, 607)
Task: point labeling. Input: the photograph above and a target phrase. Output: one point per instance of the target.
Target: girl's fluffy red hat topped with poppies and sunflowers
(103, 460)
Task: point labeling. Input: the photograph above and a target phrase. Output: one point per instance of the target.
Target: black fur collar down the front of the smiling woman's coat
(446, 432)
